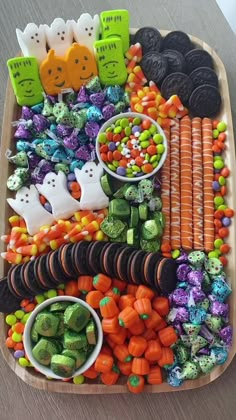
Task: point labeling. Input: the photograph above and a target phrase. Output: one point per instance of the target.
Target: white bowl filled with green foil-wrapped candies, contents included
(63, 337)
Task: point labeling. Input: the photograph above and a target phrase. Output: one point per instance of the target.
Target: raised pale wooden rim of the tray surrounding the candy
(30, 376)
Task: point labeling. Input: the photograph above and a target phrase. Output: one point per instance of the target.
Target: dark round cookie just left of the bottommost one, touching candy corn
(177, 84)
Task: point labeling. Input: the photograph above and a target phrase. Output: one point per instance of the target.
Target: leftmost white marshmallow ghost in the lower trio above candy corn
(28, 206)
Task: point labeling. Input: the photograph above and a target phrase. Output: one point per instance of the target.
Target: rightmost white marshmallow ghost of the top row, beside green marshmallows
(86, 30)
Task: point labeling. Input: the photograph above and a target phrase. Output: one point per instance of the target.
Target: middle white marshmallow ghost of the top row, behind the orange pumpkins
(59, 36)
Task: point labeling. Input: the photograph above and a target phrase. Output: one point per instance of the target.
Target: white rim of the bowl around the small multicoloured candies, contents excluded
(131, 115)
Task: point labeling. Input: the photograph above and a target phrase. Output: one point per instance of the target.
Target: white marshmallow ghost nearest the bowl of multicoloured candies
(92, 194)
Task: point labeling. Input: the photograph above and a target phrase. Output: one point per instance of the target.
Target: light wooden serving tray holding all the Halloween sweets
(11, 113)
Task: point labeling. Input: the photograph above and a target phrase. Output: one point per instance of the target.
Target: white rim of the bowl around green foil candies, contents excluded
(28, 343)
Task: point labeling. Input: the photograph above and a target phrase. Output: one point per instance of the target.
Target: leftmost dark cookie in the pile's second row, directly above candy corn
(154, 66)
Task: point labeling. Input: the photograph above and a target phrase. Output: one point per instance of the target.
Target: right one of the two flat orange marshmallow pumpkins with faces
(81, 65)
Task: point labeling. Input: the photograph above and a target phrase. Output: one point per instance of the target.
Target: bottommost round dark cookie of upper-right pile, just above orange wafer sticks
(205, 101)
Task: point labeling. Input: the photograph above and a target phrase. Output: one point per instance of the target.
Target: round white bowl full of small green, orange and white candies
(131, 146)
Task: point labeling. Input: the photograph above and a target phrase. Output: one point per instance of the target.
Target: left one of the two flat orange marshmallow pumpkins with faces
(54, 74)
